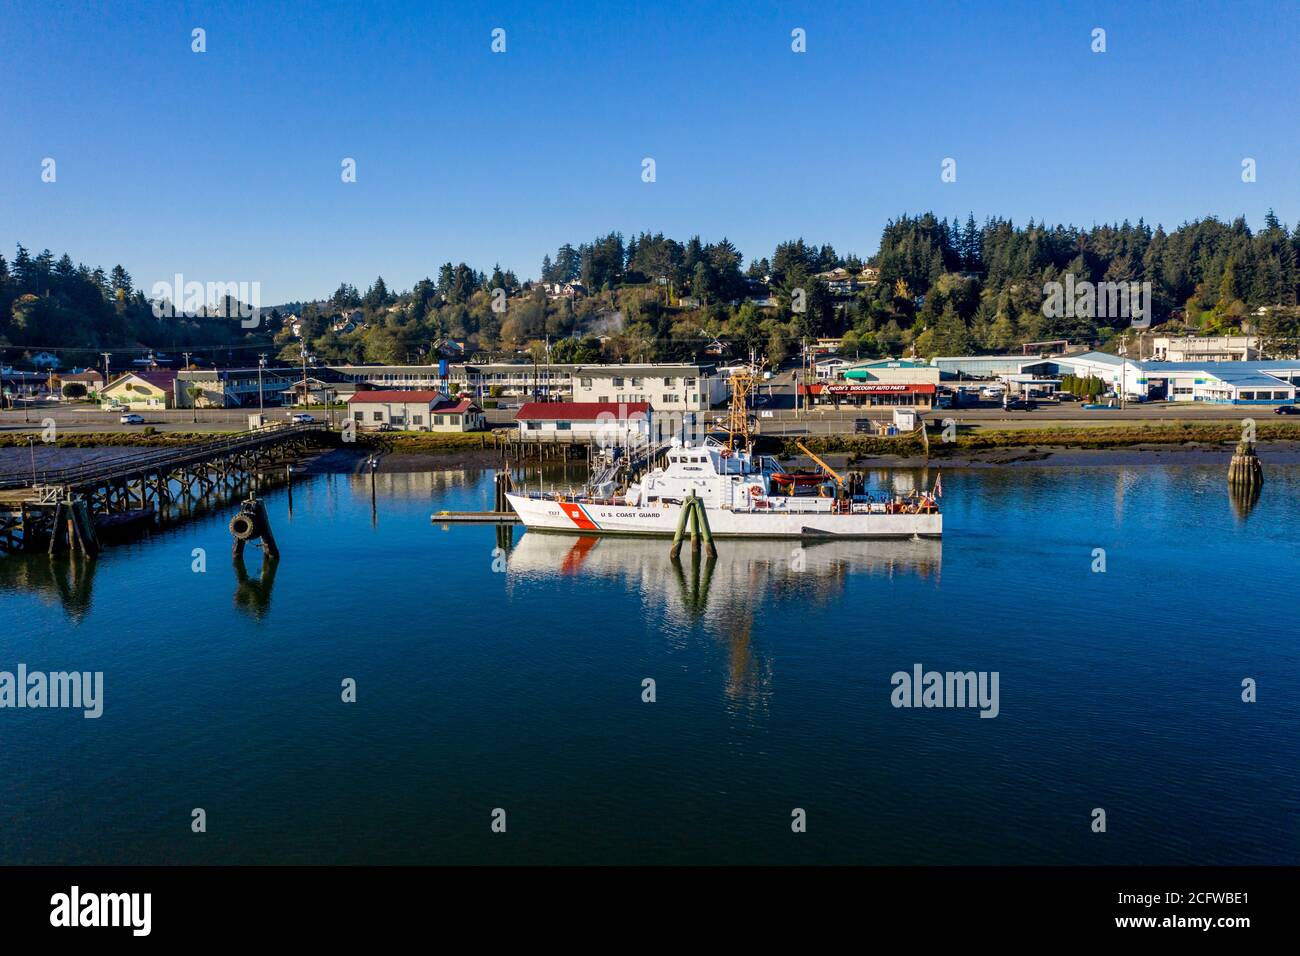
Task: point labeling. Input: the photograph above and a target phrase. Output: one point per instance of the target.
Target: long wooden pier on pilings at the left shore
(58, 509)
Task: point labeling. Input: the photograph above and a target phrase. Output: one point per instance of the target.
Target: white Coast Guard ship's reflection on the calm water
(720, 595)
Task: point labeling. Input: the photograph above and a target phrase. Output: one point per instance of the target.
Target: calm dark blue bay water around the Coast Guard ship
(491, 680)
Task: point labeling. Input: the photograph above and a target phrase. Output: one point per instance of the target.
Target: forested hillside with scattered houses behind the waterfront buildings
(943, 287)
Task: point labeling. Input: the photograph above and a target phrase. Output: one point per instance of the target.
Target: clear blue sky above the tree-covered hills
(226, 166)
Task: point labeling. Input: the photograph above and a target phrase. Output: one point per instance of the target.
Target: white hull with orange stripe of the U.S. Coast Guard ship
(661, 520)
